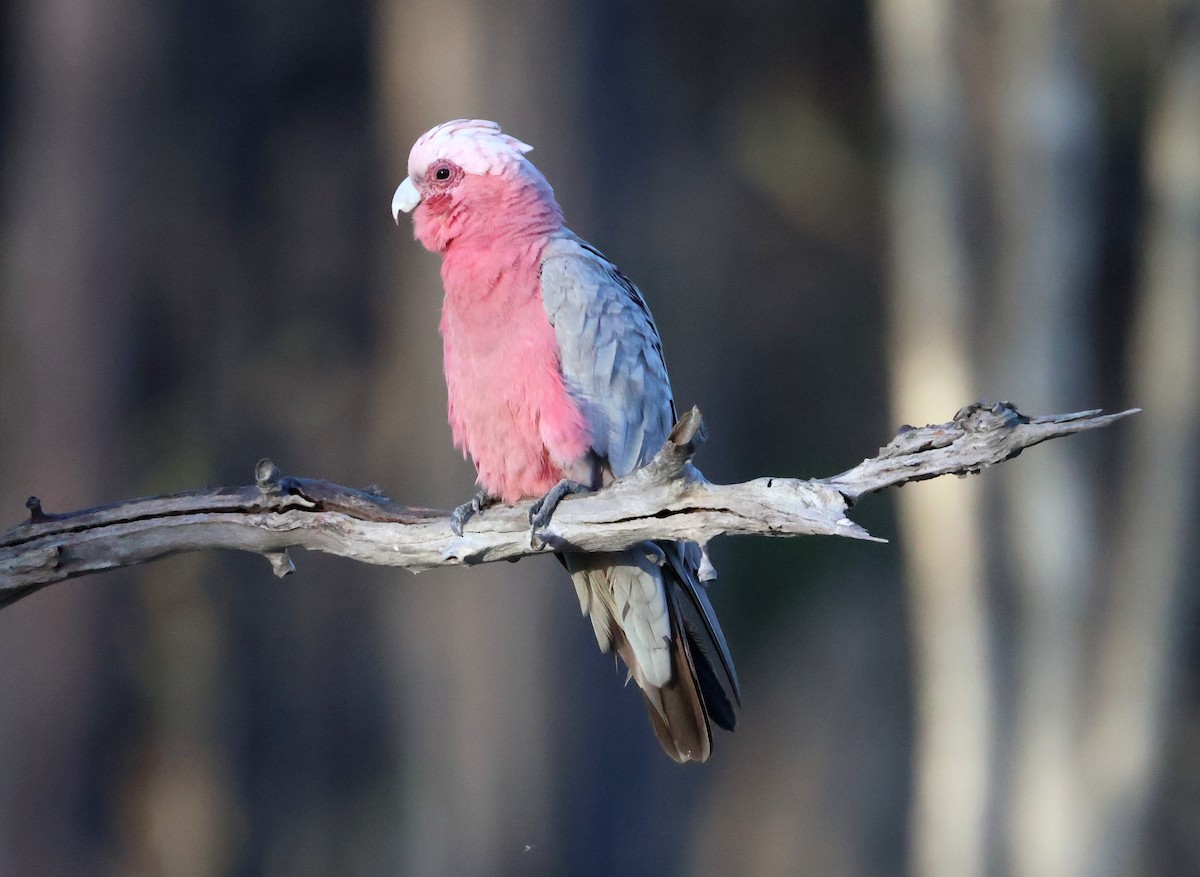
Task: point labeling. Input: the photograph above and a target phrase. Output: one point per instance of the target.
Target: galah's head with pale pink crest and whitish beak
(466, 177)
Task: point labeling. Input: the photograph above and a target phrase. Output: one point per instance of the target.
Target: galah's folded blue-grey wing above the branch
(611, 353)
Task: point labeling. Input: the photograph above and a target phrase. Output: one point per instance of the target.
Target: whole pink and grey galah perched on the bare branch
(557, 386)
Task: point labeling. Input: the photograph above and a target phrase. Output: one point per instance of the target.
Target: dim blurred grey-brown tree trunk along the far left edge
(67, 286)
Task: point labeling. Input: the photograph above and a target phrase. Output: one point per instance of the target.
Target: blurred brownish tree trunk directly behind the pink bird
(477, 760)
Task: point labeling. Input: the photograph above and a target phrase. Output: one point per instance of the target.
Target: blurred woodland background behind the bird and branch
(845, 217)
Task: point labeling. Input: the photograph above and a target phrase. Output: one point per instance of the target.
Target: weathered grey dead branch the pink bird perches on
(667, 500)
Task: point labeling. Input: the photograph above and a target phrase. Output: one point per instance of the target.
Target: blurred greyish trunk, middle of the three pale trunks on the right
(1043, 163)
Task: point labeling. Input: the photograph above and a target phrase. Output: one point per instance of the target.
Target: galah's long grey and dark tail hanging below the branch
(647, 605)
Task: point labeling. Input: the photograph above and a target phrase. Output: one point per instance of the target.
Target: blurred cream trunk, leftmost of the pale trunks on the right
(931, 367)
